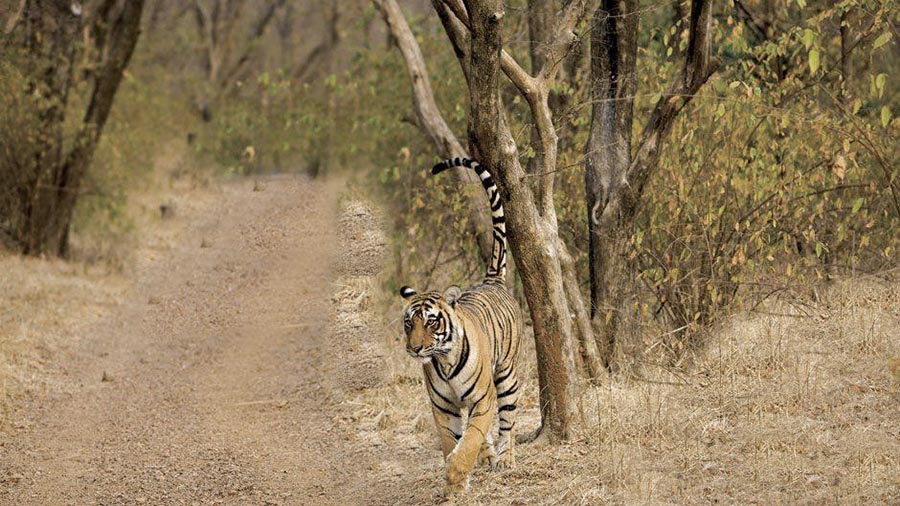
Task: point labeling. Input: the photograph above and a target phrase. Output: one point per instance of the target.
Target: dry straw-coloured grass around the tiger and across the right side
(789, 407)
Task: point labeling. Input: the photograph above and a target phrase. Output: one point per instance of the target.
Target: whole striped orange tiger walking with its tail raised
(468, 344)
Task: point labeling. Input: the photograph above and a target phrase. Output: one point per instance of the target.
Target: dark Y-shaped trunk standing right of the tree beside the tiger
(615, 180)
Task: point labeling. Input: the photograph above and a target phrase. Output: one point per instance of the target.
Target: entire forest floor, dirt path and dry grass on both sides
(248, 360)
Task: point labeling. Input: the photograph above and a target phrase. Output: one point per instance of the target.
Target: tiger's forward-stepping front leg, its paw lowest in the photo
(462, 459)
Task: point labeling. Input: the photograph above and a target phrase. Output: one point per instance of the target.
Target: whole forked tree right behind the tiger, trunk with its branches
(531, 216)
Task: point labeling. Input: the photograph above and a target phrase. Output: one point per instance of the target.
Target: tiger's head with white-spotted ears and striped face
(430, 322)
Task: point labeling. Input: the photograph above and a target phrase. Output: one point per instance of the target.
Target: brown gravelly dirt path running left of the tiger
(213, 383)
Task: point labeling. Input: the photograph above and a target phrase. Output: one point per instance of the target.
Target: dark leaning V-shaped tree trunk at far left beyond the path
(109, 29)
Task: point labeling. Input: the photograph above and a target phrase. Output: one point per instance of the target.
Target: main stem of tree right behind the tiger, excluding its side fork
(533, 237)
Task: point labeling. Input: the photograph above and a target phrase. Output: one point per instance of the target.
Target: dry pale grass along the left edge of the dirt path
(45, 303)
